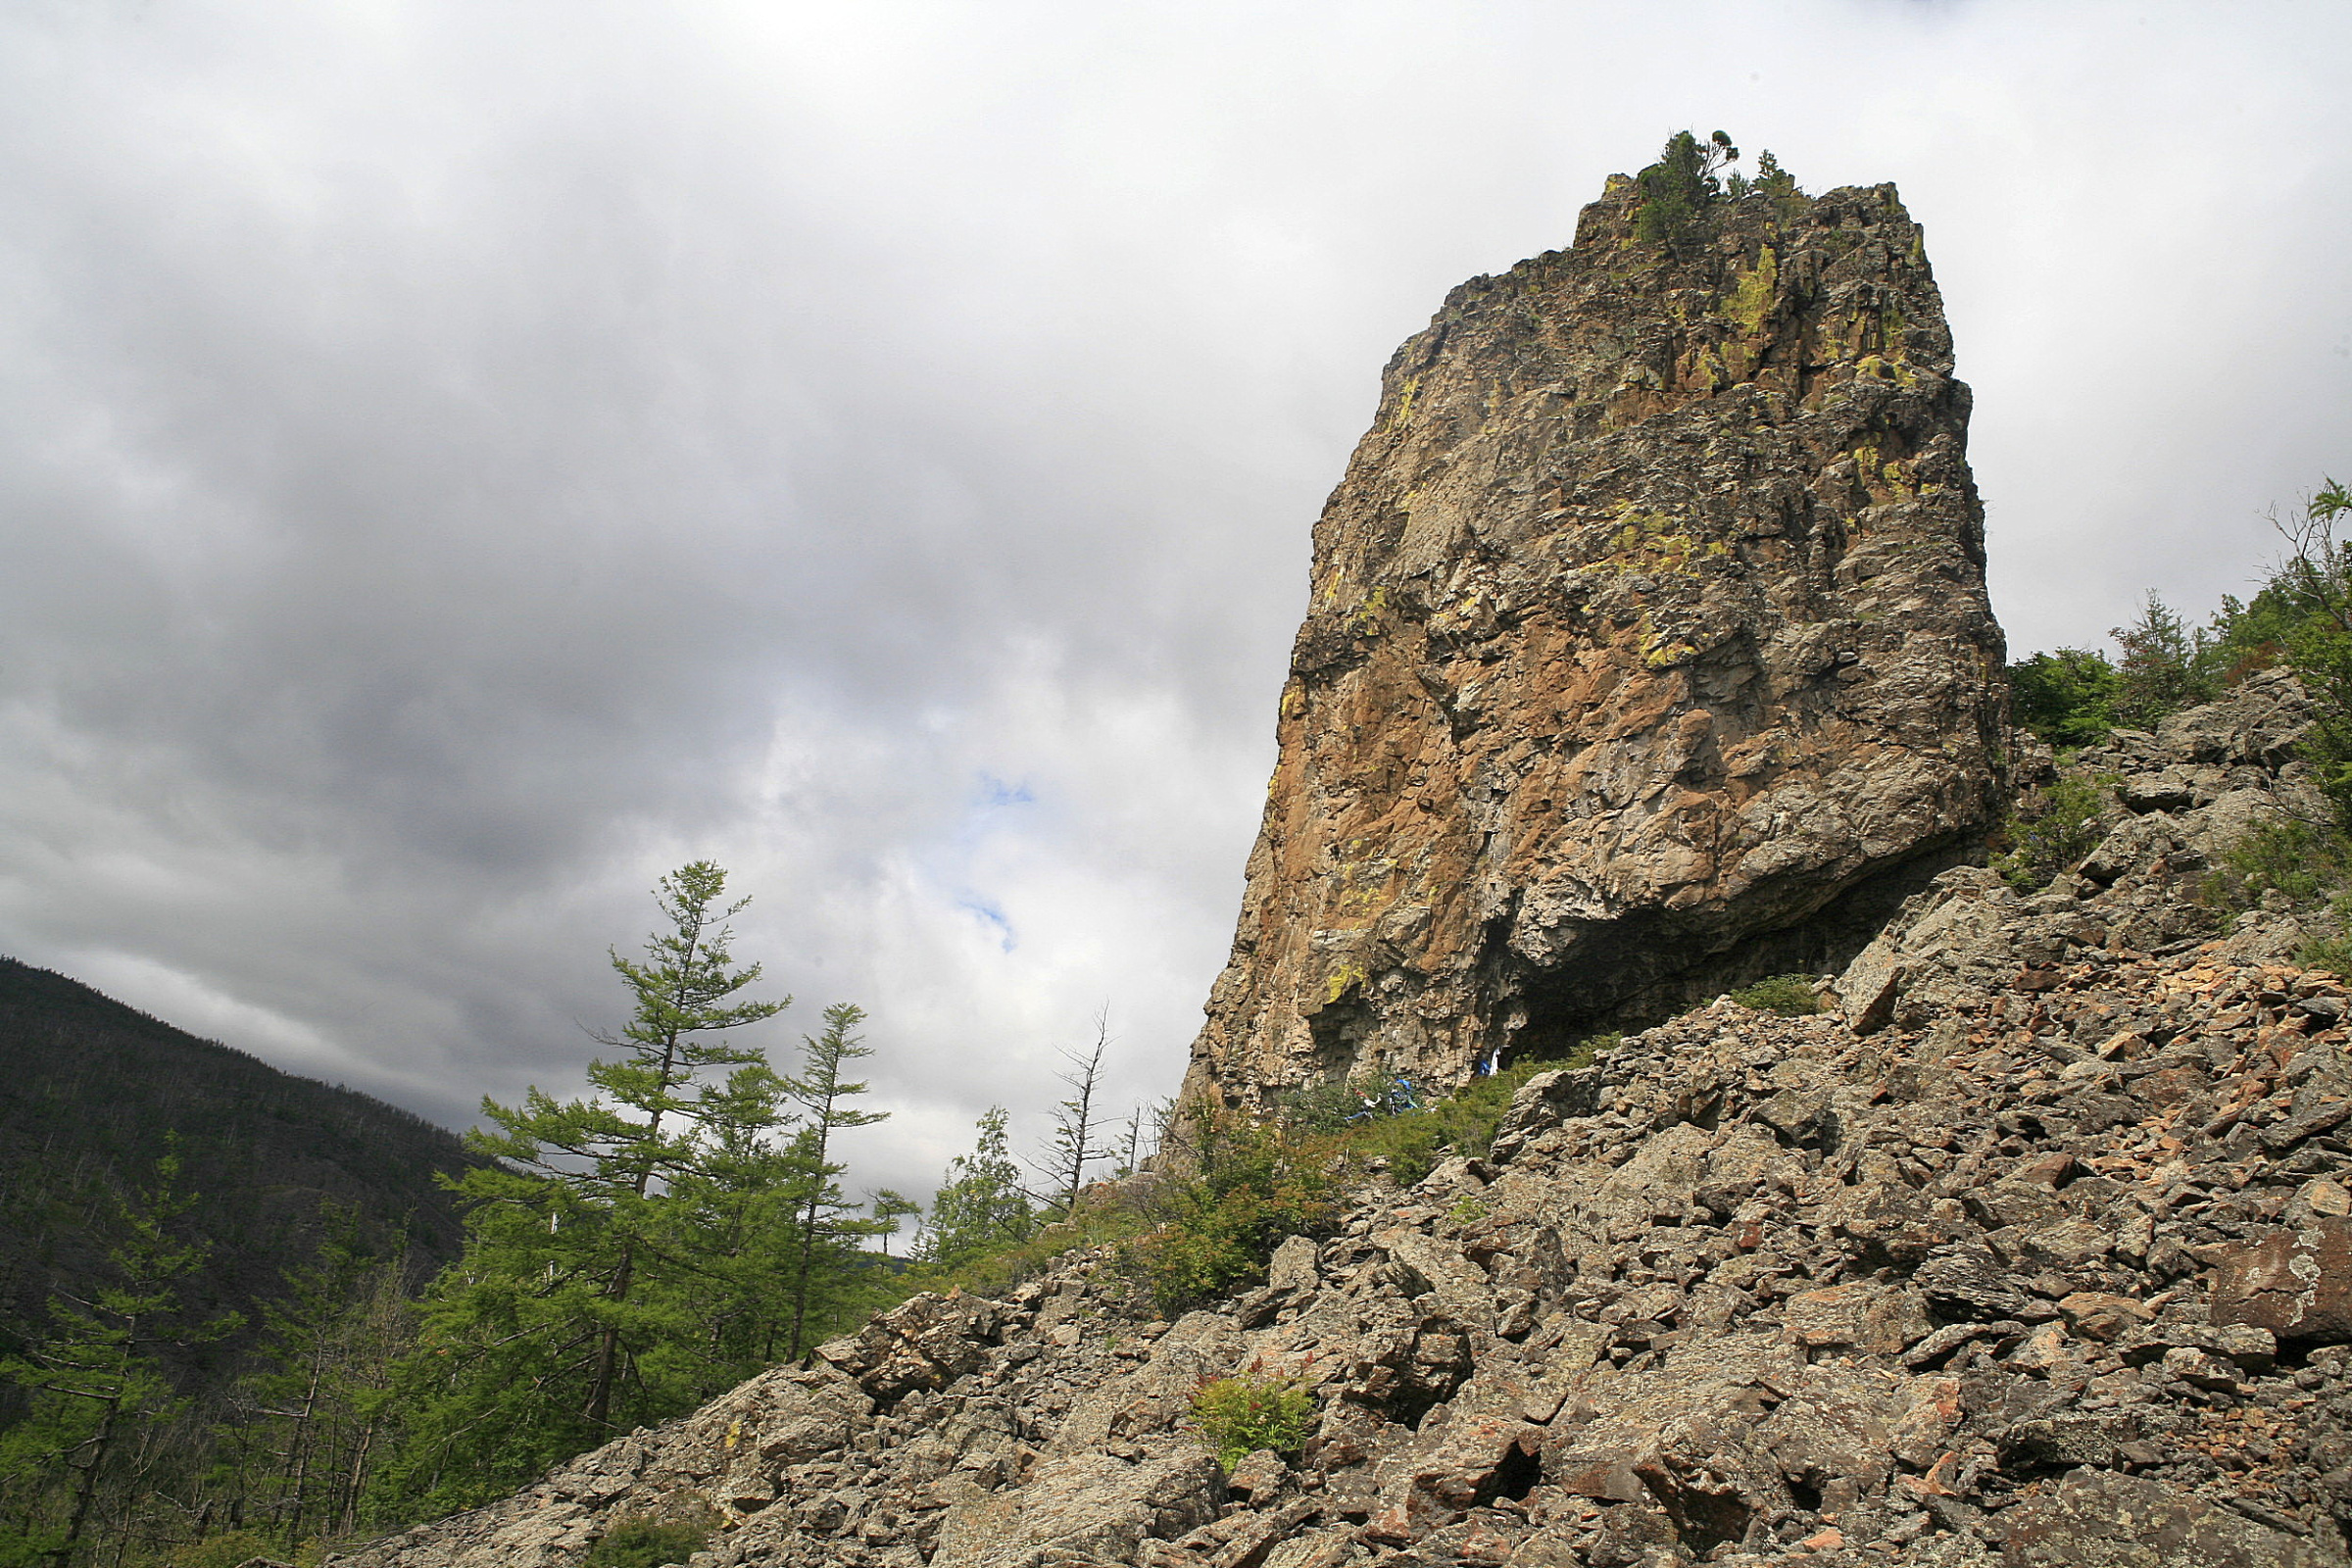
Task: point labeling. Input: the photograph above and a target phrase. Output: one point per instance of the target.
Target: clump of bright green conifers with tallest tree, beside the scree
(622, 1252)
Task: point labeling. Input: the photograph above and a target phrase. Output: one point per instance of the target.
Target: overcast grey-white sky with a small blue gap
(467, 457)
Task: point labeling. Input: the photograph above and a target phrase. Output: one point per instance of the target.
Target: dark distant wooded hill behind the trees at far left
(88, 1097)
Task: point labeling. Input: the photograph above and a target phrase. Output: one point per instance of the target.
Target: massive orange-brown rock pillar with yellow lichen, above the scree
(1648, 650)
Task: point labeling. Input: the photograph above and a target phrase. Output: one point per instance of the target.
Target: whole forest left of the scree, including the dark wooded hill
(189, 1393)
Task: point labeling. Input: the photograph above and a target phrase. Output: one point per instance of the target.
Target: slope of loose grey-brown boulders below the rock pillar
(2036, 1252)
